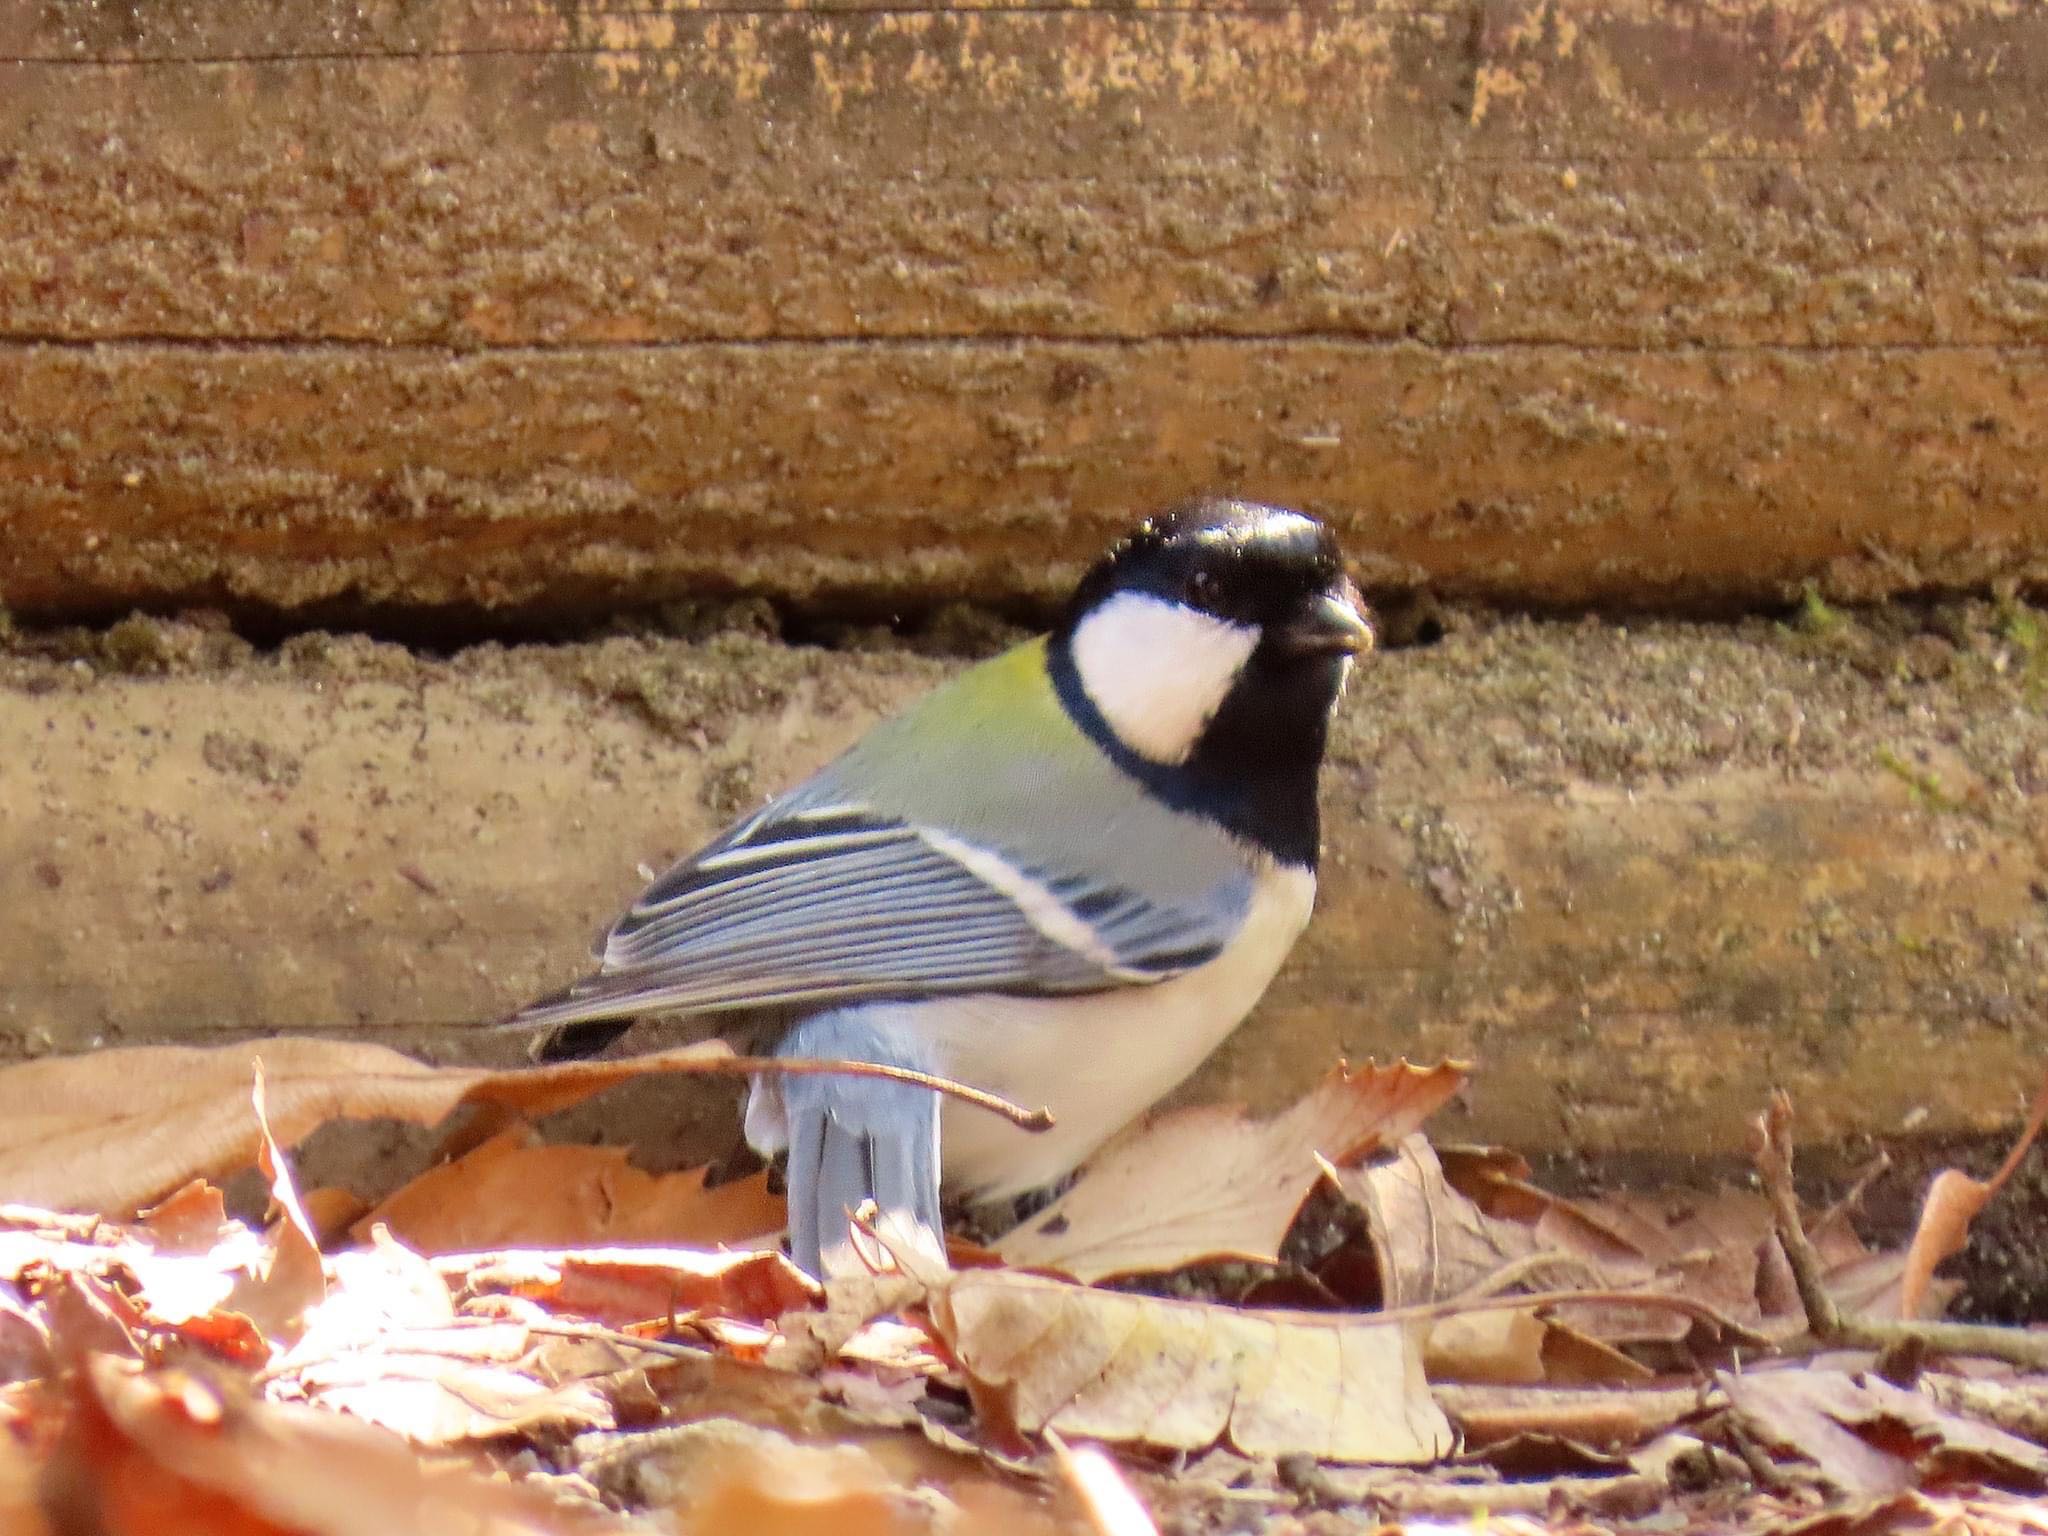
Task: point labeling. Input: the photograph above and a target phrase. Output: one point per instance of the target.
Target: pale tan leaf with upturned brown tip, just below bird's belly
(1215, 1185)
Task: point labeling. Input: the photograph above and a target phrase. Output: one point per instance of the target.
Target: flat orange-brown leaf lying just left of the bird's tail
(513, 1193)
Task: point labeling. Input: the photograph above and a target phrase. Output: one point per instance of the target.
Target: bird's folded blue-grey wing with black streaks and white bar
(833, 902)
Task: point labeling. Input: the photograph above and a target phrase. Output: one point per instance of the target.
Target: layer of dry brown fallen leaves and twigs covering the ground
(550, 1340)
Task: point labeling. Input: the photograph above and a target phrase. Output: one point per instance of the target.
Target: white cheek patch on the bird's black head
(1158, 673)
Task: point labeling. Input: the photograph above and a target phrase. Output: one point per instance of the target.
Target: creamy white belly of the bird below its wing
(1095, 1062)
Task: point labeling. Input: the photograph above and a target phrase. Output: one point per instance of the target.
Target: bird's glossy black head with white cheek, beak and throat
(1205, 656)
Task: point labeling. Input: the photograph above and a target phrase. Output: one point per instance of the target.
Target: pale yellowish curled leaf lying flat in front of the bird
(1185, 1375)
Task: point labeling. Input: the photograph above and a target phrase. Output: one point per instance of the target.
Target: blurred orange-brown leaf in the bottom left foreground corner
(173, 1455)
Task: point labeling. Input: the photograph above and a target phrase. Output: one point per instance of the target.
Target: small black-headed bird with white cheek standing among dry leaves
(1062, 878)
